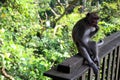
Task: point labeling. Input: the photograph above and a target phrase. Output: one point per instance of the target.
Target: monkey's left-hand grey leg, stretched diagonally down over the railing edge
(85, 54)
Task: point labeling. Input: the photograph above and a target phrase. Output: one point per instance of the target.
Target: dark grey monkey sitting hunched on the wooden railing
(82, 32)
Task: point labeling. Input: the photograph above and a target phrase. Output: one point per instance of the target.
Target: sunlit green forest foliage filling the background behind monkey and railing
(36, 34)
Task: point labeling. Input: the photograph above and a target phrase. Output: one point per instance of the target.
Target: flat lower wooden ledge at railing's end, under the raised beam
(64, 76)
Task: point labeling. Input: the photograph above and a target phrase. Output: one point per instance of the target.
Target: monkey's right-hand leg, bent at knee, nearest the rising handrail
(94, 48)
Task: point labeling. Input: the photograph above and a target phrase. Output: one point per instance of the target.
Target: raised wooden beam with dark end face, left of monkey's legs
(70, 64)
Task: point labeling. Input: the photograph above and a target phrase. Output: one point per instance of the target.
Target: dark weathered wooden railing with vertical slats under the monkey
(74, 69)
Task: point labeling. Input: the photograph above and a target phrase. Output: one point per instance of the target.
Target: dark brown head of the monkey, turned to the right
(92, 19)
